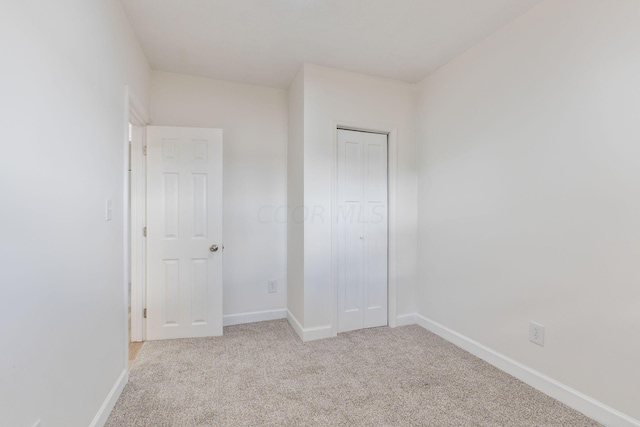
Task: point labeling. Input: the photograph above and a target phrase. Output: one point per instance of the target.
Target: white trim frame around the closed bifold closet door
(392, 182)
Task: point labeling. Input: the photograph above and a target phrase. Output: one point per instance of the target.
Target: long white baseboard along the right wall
(567, 395)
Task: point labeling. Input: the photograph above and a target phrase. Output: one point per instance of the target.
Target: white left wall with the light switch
(62, 303)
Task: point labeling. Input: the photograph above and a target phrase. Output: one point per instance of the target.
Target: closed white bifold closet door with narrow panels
(362, 230)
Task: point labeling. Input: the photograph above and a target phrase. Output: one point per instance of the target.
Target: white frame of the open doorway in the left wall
(137, 116)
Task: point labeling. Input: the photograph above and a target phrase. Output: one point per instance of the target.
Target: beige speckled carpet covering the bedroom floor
(261, 374)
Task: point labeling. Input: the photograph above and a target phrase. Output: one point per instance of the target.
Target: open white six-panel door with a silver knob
(184, 232)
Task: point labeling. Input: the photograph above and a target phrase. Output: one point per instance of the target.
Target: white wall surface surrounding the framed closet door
(332, 96)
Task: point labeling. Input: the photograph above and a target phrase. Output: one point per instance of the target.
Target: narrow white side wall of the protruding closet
(295, 199)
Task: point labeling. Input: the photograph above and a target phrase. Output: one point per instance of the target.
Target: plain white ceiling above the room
(265, 42)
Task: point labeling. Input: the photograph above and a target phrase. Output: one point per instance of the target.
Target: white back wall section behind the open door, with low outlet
(254, 124)
